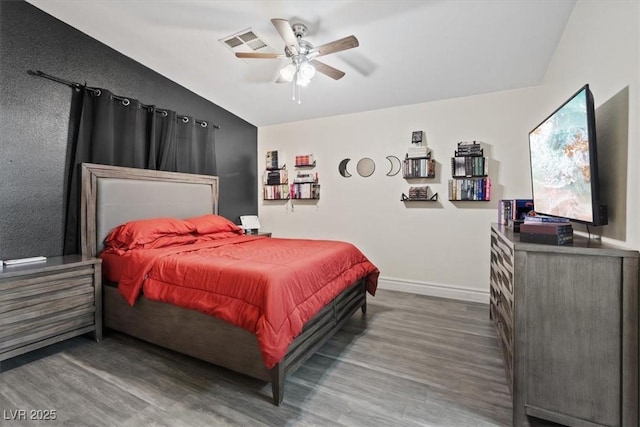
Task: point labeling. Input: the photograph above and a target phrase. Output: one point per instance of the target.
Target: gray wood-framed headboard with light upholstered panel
(113, 195)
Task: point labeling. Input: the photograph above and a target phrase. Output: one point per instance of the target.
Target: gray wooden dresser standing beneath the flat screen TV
(567, 323)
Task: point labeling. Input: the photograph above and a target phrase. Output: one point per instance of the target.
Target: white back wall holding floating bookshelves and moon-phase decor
(437, 248)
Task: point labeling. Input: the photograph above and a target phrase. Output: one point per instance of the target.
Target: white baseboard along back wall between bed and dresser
(430, 289)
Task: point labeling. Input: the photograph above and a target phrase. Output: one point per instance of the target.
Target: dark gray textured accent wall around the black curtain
(34, 120)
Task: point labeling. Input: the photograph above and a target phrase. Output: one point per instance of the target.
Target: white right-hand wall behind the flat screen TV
(601, 46)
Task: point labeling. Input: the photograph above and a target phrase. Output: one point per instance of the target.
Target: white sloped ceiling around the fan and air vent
(410, 51)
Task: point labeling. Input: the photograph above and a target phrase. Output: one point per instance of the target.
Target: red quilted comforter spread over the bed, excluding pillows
(268, 286)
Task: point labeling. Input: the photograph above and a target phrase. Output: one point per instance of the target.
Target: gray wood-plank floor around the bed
(411, 361)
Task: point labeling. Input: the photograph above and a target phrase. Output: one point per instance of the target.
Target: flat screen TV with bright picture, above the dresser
(564, 163)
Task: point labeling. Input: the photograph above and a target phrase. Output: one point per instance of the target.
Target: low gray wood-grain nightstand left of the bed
(46, 302)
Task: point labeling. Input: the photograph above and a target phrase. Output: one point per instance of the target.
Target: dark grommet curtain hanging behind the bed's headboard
(108, 129)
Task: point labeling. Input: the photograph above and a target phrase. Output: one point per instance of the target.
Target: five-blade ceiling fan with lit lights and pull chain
(302, 54)
